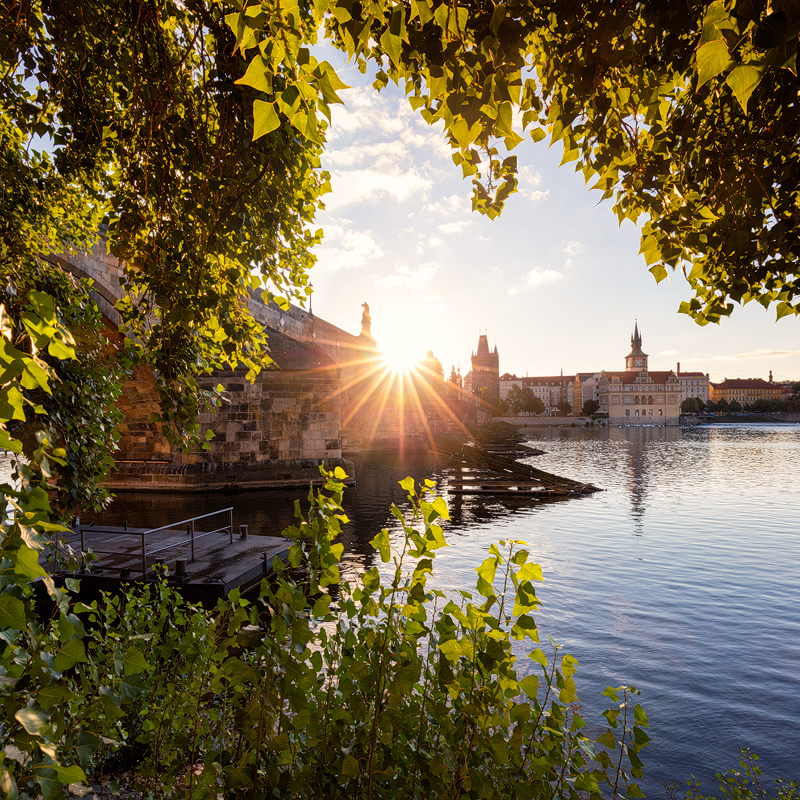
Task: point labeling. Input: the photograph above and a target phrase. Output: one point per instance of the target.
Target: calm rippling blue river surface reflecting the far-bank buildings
(682, 578)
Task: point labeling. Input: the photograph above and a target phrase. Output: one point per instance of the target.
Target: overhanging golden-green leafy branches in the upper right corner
(685, 113)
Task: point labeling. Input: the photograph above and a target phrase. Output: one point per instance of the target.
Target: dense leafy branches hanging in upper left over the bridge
(151, 132)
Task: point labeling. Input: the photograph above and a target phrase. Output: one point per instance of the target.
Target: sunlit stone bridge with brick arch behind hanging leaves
(328, 395)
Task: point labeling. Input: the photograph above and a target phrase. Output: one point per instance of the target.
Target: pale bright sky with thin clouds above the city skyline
(555, 282)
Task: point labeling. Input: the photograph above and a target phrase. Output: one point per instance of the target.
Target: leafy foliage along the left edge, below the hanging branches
(37, 355)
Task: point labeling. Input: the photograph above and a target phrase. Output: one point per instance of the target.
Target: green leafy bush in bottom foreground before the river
(379, 688)
